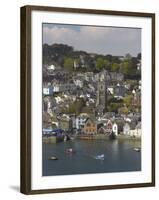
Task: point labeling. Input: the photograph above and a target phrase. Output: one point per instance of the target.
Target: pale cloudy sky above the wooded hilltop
(95, 39)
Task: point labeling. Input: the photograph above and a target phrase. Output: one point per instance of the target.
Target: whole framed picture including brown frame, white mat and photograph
(87, 99)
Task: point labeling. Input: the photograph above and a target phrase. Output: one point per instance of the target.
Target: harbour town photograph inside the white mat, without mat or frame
(91, 99)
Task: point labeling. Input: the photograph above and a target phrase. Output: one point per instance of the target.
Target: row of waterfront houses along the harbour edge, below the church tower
(89, 125)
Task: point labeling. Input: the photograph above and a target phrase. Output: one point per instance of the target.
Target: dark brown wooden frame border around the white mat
(25, 96)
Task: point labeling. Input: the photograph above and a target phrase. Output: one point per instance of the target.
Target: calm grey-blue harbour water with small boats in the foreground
(119, 156)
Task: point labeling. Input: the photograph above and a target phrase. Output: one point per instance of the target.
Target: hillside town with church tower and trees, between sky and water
(85, 102)
